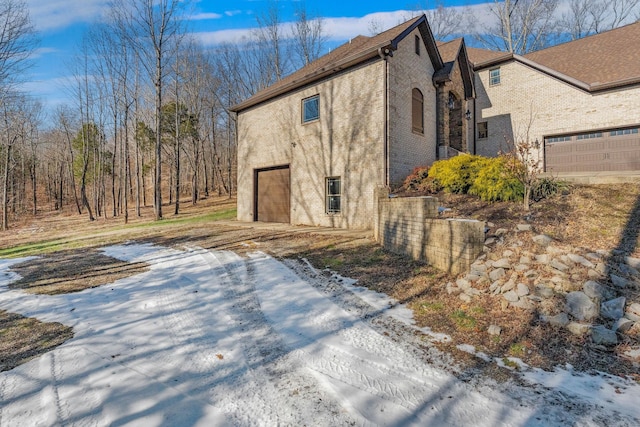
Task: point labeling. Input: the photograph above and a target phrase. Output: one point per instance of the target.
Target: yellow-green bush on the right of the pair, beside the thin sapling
(495, 182)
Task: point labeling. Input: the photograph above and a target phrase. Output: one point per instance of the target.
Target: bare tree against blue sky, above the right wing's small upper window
(520, 26)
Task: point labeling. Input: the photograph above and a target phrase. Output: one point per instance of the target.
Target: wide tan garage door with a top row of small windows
(612, 150)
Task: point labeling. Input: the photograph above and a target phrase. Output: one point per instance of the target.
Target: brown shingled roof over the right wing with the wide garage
(598, 62)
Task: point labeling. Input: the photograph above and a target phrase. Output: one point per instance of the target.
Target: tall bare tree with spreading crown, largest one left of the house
(154, 29)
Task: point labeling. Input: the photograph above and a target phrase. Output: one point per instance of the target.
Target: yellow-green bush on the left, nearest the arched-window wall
(457, 174)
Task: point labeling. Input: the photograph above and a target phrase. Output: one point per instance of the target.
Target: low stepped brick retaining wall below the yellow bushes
(411, 226)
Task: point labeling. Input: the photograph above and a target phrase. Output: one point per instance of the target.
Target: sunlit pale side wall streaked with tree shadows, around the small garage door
(346, 141)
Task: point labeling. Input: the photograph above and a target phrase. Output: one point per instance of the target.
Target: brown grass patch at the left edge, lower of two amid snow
(24, 338)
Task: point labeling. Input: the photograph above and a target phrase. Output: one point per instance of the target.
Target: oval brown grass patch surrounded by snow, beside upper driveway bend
(72, 271)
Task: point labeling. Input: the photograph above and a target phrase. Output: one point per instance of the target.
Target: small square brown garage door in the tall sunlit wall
(272, 194)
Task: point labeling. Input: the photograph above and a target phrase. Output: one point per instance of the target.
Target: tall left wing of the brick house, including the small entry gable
(313, 147)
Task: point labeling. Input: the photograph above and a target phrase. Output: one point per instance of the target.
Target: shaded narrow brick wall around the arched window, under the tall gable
(408, 149)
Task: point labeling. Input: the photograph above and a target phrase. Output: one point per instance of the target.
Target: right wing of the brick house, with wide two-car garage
(578, 103)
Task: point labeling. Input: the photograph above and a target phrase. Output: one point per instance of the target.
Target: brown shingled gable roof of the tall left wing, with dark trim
(354, 52)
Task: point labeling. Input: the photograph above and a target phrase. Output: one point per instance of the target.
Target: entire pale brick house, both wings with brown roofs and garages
(313, 147)
